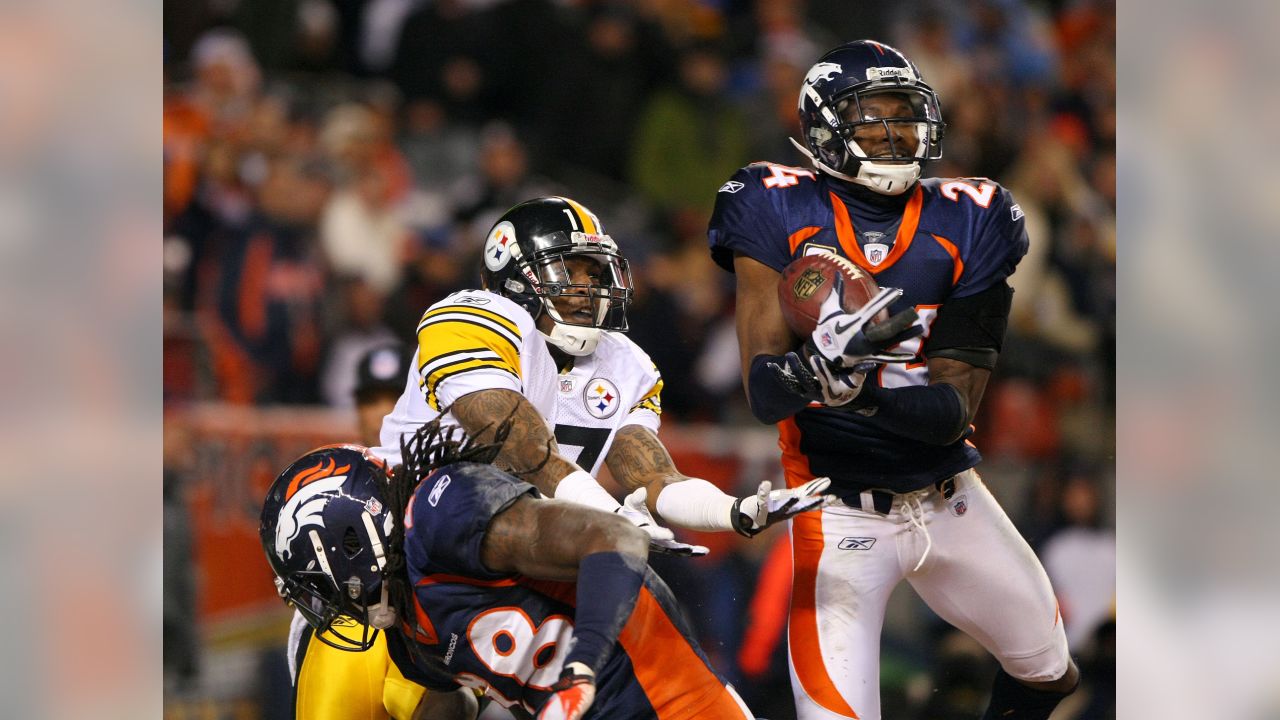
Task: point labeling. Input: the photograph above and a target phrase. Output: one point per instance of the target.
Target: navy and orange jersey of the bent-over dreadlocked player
(509, 636)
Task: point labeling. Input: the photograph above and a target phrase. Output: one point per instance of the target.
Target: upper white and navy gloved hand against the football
(848, 340)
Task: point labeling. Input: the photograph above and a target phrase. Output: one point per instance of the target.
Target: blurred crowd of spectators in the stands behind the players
(331, 168)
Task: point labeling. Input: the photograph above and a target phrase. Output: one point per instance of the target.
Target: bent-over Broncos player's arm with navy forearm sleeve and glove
(561, 541)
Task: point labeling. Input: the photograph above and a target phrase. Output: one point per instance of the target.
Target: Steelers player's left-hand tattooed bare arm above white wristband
(529, 445)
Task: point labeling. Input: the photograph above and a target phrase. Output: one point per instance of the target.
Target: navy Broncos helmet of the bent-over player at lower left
(326, 530)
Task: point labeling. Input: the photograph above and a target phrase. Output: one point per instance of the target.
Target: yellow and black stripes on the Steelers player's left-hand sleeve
(461, 339)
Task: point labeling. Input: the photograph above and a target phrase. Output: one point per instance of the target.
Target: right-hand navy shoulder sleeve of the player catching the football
(998, 245)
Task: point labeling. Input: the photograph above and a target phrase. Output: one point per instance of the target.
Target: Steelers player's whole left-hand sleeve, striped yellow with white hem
(467, 348)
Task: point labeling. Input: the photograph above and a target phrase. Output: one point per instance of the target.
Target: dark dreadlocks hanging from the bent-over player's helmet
(433, 446)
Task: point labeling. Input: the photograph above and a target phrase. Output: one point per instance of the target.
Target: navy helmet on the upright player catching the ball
(831, 112)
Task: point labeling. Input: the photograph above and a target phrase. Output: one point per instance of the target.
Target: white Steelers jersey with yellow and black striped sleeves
(477, 340)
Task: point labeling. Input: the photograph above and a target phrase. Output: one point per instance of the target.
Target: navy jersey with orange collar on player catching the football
(945, 239)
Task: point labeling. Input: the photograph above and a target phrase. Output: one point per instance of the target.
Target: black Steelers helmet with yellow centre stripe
(525, 259)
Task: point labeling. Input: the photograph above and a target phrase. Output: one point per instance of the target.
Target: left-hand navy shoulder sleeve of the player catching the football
(747, 221)
